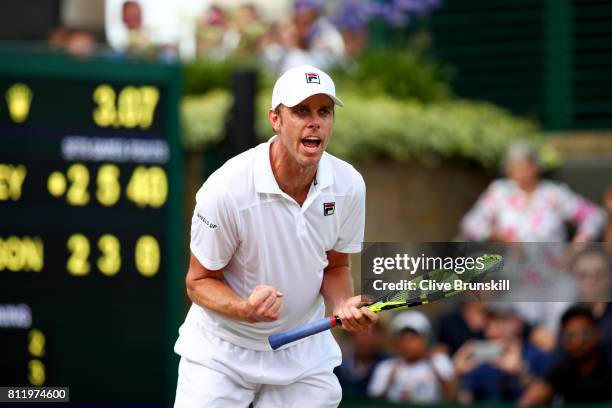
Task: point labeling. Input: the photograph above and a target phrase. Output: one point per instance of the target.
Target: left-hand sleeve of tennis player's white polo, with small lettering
(214, 227)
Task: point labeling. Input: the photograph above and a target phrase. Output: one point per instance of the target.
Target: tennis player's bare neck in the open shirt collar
(293, 179)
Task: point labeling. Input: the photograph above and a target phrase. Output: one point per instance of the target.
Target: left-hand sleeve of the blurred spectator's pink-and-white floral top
(476, 224)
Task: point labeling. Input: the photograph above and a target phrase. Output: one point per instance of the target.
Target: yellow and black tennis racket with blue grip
(396, 300)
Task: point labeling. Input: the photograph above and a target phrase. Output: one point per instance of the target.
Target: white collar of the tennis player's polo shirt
(265, 182)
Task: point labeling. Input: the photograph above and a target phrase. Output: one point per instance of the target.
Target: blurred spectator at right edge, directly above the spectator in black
(593, 269)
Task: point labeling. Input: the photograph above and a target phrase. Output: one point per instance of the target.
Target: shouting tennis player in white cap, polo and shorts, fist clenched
(271, 236)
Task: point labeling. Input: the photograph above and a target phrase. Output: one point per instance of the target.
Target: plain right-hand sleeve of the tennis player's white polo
(353, 220)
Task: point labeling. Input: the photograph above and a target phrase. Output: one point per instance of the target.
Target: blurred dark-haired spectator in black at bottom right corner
(582, 371)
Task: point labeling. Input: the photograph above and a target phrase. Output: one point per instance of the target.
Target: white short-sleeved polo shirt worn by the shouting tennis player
(244, 223)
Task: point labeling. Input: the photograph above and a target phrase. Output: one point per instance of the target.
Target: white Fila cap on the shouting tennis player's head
(301, 82)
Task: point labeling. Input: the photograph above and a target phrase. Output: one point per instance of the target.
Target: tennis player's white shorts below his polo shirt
(226, 375)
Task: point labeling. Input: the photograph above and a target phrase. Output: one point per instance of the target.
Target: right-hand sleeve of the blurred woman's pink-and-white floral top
(587, 216)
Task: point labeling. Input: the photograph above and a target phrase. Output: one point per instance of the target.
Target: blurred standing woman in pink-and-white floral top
(524, 208)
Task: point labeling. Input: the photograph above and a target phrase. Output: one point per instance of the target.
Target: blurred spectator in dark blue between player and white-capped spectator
(359, 361)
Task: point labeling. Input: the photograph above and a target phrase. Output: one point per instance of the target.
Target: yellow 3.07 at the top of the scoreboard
(134, 107)
